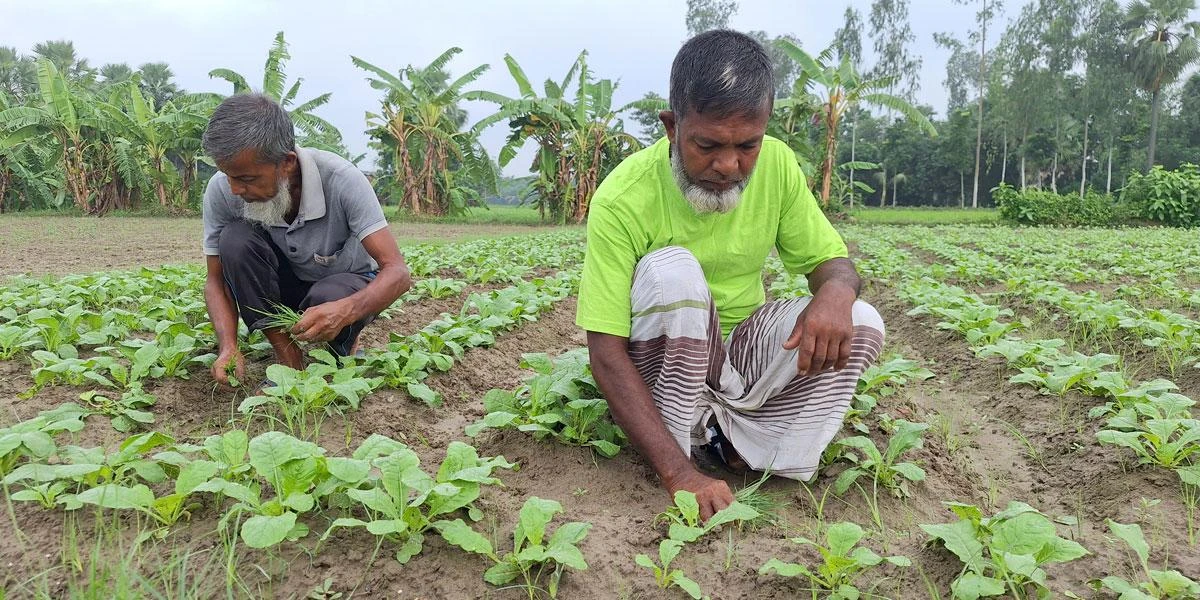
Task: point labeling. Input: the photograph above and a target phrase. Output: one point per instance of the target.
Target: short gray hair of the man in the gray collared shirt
(250, 122)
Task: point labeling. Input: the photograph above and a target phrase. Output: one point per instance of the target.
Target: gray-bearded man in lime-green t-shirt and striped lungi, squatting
(682, 340)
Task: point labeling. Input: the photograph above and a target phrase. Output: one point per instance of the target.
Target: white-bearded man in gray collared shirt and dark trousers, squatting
(290, 226)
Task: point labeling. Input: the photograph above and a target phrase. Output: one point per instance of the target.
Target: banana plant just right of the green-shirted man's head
(844, 87)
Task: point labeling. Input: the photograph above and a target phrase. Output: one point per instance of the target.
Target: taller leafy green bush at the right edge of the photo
(1171, 197)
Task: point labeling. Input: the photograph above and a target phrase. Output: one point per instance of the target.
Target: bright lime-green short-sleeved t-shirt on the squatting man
(639, 209)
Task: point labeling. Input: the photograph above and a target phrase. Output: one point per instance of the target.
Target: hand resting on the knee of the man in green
(825, 331)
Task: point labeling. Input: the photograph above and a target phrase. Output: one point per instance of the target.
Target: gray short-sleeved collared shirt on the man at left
(338, 211)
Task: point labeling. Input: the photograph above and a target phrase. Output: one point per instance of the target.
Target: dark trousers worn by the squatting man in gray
(260, 277)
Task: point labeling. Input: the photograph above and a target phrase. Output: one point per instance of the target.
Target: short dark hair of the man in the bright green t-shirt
(723, 73)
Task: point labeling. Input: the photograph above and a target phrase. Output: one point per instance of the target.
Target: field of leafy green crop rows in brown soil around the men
(1029, 433)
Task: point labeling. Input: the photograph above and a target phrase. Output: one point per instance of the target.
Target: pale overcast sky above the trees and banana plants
(633, 41)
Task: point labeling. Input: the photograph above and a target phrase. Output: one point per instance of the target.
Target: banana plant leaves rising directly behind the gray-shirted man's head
(274, 87)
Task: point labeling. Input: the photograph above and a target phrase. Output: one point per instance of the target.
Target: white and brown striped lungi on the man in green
(773, 417)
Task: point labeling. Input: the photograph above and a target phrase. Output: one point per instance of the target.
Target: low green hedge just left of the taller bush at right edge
(1036, 207)
